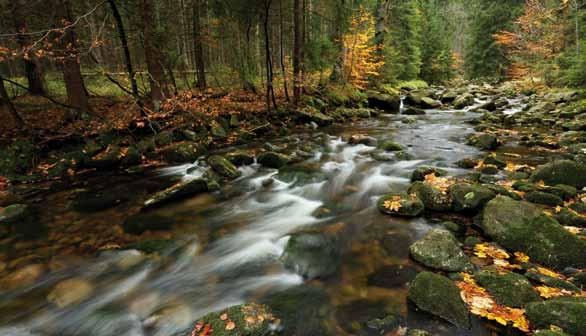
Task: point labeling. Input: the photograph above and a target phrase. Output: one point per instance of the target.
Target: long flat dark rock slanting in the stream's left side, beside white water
(179, 191)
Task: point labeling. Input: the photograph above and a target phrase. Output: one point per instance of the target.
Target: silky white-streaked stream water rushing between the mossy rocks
(228, 244)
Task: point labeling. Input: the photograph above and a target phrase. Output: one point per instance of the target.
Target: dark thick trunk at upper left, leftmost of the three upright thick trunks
(32, 65)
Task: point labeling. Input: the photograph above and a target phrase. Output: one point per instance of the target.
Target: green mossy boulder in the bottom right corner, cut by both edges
(566, 313)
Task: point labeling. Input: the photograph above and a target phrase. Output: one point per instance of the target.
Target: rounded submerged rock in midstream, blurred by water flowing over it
(312, 255)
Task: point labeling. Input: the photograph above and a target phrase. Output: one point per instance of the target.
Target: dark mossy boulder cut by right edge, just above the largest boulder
(561, 172)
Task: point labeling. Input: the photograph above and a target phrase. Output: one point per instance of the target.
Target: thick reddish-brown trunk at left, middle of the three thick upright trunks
(77, 95)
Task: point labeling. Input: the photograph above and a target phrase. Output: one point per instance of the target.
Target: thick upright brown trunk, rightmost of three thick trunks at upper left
(153, 56)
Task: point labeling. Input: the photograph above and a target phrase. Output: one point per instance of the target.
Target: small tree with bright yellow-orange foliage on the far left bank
(361, 62)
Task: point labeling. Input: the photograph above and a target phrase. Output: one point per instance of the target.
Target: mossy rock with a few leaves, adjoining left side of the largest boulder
(469, 197)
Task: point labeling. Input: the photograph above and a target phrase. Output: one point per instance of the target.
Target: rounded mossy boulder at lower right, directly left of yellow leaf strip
(439, 296)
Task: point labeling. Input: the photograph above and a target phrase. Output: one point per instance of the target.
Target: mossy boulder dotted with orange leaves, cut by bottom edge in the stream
(249, 319)
